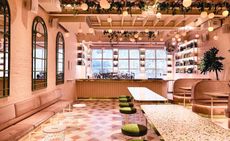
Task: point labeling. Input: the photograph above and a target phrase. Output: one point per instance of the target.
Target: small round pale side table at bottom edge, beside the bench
(54, 132)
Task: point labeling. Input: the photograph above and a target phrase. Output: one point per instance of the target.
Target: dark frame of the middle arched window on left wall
(36, 21)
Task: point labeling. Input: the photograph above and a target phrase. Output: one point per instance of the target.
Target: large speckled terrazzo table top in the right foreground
(176, 123)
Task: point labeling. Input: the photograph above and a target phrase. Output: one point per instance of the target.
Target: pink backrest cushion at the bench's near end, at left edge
(6, 113)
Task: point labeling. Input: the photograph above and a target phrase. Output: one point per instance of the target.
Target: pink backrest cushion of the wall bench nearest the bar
(49, 97)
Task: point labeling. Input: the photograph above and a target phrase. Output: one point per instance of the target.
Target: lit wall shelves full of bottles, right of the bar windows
(186, 58)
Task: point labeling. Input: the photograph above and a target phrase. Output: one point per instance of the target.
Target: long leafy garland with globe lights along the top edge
(143, 6)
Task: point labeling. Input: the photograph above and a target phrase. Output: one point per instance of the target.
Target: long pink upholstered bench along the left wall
(17, 119)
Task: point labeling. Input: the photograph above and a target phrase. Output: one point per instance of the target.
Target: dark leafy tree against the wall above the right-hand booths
(211, 62)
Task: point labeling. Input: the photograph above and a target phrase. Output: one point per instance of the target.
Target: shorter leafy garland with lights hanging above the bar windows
(115, 36)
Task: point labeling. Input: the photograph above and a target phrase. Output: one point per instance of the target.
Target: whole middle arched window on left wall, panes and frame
(39, 52)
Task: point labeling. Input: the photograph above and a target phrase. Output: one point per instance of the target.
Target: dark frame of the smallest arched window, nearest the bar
(58, 38)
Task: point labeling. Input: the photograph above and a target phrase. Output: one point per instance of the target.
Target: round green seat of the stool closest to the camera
(134, 130)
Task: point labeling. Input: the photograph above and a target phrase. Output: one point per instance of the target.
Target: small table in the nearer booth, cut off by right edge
(216, 95)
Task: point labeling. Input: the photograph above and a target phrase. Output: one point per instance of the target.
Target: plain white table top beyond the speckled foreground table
(144, 94)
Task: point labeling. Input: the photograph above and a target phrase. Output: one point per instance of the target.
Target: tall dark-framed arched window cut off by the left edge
(4, 48)
